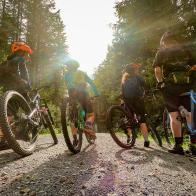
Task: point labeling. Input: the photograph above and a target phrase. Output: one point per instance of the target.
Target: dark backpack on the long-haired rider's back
(132, 88)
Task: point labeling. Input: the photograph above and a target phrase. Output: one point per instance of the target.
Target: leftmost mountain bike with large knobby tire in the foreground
(21, 119)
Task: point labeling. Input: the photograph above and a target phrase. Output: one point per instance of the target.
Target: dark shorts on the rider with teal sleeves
(83, 98)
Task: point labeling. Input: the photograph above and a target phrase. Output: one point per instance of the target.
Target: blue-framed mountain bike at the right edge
(186, 129)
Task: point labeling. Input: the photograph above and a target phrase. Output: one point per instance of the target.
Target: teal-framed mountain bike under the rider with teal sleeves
(73, 117)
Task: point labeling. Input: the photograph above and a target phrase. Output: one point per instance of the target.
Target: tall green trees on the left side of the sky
(38, 23)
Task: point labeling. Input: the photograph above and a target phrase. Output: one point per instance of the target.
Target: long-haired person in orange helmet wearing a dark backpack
(133, 86)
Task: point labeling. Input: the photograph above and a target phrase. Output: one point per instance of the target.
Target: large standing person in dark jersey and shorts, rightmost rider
(172, 65)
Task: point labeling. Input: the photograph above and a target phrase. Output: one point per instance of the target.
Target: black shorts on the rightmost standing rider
(173, 99)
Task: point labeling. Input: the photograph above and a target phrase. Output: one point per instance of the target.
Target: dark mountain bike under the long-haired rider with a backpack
(123, 123)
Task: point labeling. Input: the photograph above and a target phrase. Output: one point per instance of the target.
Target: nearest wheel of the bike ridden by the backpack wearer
(118, 123)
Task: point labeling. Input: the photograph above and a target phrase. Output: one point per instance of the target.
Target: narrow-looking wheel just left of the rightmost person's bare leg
(167, 130)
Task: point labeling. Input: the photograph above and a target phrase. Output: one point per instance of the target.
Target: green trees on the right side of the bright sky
(136, 38)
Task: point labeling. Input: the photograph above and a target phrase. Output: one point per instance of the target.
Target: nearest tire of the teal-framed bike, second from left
(65, 130)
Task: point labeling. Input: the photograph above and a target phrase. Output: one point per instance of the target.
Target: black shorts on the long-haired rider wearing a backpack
(137, 105)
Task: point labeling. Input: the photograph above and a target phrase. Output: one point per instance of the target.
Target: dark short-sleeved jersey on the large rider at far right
(176, 60)
